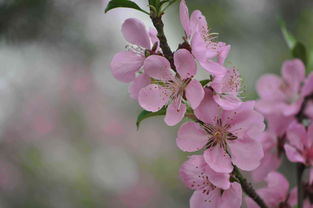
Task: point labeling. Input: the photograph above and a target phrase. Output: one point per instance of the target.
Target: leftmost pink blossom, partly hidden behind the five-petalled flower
(126, 64)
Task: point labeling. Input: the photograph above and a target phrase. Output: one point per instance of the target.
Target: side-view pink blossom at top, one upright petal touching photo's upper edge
(201, 40)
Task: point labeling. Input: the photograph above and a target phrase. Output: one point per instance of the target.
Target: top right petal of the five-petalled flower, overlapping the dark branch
(185, 63)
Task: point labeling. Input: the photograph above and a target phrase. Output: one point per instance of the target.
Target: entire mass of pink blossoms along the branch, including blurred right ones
(225, 132)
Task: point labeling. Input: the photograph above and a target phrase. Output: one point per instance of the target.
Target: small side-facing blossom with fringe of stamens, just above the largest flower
(226, 89)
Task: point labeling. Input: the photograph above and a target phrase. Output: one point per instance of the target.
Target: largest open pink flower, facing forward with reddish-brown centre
(226, 135)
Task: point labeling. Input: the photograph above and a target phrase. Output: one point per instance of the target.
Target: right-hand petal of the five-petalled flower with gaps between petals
(194, 93)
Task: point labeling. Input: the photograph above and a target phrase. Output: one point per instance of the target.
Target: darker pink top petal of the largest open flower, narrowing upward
(208, 111)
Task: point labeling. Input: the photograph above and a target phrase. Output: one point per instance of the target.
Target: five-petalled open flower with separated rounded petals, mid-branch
(168, 88)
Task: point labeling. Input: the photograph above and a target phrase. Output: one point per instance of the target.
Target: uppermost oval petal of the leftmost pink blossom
(134, 31)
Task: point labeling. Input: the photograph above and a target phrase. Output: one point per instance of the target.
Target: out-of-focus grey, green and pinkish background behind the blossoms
(67, 128)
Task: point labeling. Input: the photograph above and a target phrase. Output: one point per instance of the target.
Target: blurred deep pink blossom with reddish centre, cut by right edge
(299, 148)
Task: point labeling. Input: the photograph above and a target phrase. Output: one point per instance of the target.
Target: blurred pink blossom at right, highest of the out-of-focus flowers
(282, 94)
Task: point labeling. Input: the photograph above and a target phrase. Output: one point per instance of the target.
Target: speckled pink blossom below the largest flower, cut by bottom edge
(211, 189)
